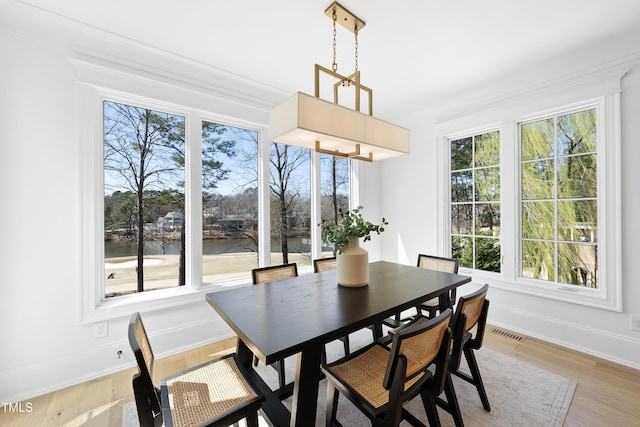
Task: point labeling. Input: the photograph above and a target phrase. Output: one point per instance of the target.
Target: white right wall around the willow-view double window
(411, 198)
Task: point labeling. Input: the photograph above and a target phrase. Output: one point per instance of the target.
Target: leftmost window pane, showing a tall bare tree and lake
(144, 223)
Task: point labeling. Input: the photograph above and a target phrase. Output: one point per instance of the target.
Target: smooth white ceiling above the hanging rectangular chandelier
(412, 53)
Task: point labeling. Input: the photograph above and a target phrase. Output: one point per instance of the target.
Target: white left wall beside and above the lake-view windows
(46, 344)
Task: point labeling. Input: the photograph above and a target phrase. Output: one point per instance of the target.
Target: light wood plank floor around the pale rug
(607, 394)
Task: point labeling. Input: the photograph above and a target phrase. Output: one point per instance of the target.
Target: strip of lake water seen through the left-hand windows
(209, 247)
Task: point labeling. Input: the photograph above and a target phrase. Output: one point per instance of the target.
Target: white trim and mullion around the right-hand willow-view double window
(601, 87)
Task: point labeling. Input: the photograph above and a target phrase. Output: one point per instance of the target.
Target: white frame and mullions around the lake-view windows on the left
(96, 83)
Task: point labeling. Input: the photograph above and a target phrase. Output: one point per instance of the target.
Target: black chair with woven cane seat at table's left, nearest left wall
(216, 393)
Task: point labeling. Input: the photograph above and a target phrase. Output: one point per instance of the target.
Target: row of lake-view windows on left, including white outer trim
(181, 183)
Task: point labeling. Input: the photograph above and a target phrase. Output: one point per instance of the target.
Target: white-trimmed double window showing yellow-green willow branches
(530, 194)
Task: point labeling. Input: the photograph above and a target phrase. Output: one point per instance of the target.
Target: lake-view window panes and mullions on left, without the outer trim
(149, 154)
